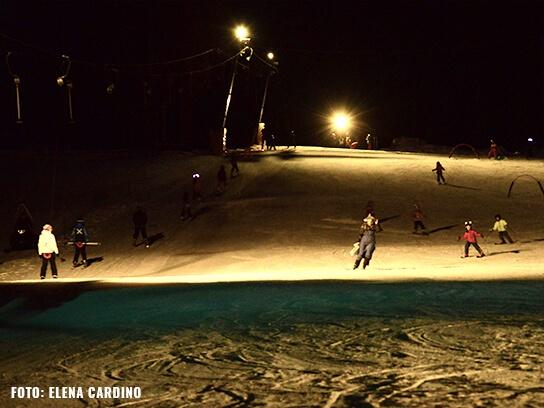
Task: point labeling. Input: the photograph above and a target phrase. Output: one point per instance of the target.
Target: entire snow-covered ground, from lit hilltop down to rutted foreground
(255, 303)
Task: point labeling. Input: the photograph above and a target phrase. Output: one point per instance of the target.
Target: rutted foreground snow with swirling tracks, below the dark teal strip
(413, 363)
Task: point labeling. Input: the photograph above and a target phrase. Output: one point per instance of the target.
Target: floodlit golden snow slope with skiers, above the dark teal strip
(288, 216)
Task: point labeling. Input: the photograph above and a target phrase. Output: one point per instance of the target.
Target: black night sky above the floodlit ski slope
(444, 71)
